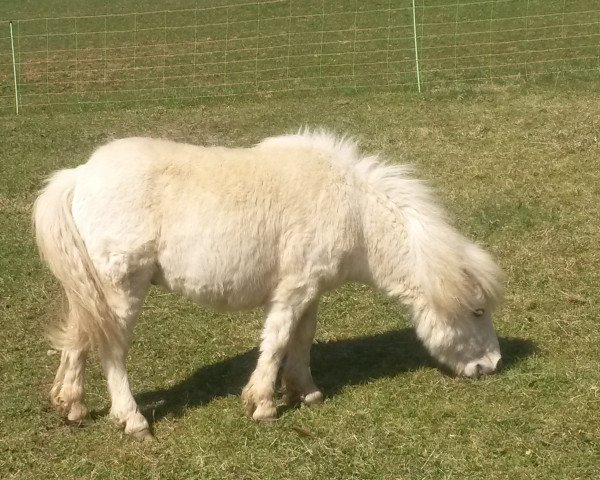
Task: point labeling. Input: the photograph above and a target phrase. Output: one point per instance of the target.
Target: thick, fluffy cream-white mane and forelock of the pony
(452, 272)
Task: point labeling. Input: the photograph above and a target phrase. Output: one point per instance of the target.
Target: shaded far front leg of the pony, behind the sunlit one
(297, 381)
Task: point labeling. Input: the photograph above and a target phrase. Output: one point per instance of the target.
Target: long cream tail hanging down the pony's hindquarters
(89, 319)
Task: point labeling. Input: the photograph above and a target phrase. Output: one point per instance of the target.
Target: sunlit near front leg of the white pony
(258, 393)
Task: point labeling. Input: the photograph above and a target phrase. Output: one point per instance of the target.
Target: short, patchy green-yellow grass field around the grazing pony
(518, 168)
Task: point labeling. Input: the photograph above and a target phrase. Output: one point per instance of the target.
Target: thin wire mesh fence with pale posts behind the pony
(274, 46)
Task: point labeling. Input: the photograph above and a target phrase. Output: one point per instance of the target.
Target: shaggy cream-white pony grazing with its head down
(276, 225)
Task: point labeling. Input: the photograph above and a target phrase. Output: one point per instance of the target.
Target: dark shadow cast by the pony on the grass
(335, 365)
